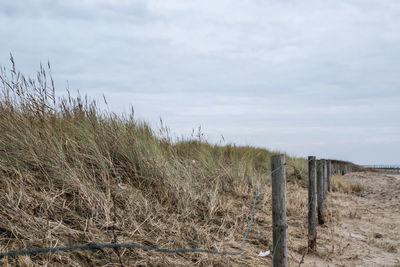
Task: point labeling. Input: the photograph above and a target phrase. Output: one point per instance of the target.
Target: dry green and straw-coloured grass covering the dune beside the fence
(71, 174)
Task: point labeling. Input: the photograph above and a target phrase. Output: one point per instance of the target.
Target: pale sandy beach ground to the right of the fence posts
(363, 229)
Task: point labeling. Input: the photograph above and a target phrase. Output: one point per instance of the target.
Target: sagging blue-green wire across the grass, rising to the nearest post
(92, 246)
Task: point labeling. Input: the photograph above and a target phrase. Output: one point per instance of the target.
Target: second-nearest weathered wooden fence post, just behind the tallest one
(312, 200)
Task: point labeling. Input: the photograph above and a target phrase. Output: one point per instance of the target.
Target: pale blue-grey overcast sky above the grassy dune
(317, 77)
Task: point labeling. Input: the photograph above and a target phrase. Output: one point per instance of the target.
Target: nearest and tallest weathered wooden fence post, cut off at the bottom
(279, 210)
